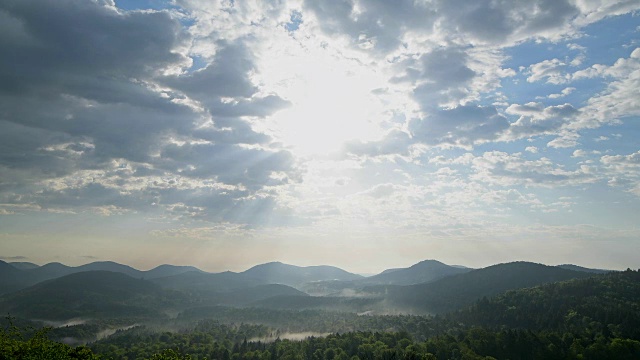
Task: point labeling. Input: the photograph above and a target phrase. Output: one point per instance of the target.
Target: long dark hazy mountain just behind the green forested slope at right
(454, 292)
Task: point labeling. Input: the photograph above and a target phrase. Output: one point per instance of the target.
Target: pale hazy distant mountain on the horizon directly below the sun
(279, 273)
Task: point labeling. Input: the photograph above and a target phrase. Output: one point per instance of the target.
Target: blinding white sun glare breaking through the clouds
(332, 102)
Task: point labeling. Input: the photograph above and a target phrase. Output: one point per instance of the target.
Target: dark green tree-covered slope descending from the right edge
(608, 304)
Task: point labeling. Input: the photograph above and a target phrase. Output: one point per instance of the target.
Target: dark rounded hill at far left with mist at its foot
(86, 294)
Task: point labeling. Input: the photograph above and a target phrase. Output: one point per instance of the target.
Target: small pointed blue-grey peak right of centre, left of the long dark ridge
(422, 272)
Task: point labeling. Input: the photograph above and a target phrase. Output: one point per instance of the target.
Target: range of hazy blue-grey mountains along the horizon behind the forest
(56, 291)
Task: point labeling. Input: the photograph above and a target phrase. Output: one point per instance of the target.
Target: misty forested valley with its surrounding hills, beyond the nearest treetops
(111, 307)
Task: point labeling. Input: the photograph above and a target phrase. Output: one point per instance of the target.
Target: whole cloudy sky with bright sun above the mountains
(364, 134)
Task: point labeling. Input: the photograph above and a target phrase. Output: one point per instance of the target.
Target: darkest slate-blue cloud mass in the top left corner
(80, 47)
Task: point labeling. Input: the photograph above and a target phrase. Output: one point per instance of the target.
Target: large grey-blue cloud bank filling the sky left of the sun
(90, 119)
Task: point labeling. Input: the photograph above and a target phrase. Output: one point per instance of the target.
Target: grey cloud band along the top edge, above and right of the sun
(384, 23)
